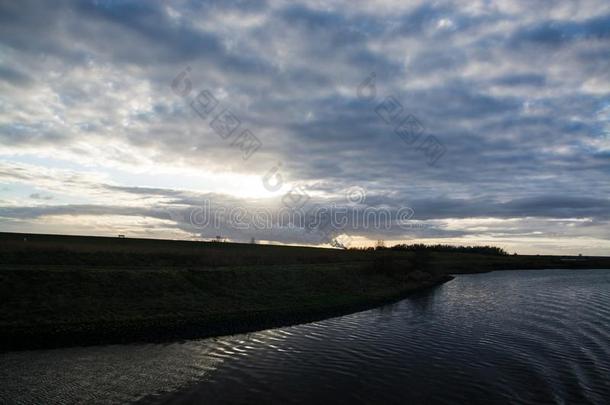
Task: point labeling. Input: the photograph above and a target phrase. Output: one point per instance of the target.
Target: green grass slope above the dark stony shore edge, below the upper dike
(37, 295)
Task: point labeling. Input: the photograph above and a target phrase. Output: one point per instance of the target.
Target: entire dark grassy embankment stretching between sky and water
(60, 290)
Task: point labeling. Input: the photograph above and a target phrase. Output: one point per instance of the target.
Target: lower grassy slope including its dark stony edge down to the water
(73, 305)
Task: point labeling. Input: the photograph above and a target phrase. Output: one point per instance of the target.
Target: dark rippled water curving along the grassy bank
(503, 337)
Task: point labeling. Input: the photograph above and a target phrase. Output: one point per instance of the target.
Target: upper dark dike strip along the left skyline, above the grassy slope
(63, 250)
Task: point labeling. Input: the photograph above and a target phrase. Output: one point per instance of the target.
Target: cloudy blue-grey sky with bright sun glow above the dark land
(460, 122)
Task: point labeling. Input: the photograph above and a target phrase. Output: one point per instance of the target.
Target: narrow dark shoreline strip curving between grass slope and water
(162, 330)
